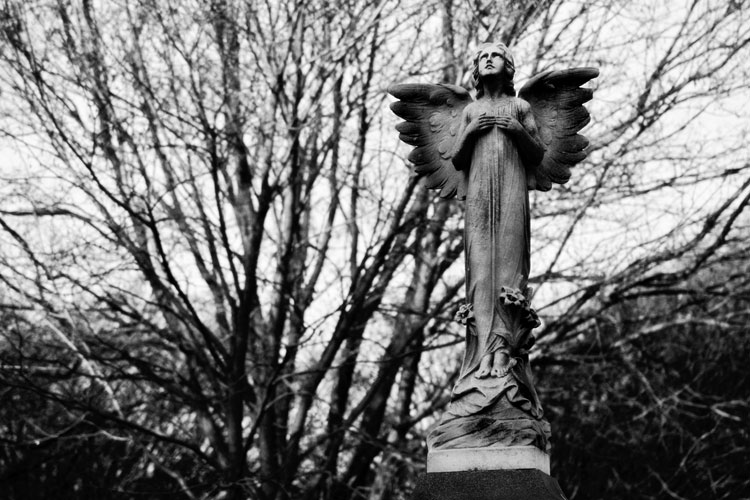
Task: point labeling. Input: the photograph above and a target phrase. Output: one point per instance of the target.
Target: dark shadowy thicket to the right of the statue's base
(662, 416)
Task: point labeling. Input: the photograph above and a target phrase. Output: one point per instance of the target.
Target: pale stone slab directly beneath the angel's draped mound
(467, 459)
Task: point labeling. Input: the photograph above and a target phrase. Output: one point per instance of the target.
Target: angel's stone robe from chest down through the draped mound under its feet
(495, 411)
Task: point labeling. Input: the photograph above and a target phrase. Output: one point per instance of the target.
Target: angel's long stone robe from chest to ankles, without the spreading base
(496, 227)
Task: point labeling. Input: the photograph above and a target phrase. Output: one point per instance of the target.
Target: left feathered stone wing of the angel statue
(433, 117)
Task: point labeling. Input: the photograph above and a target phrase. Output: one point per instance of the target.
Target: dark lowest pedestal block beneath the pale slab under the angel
(518, 484)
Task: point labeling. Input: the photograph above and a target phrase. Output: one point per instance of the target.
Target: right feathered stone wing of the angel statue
(556, 100)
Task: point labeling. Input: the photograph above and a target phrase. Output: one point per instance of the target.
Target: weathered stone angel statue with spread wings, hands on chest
(490, 151)
